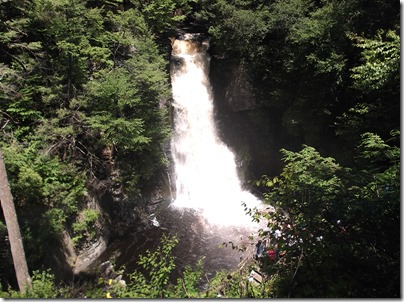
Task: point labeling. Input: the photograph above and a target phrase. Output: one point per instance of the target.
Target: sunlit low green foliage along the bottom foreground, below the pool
(150, 280)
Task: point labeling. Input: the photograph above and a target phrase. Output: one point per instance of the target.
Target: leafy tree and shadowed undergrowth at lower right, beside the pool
(333, 221)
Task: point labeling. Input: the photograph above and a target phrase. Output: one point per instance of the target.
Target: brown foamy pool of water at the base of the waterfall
(197, 239)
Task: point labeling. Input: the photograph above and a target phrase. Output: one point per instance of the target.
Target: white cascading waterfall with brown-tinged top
(205, 169)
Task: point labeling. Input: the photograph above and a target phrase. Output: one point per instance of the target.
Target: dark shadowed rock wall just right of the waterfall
(252, 131)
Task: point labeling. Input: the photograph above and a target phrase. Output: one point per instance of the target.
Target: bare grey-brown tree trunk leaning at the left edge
(13, 229)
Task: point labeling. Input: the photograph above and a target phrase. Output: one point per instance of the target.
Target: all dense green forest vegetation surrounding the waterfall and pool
(84, 97)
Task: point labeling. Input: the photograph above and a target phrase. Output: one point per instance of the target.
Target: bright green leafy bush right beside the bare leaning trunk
(47, 194)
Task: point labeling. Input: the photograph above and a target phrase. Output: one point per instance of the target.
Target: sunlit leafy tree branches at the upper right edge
(376, 82)
